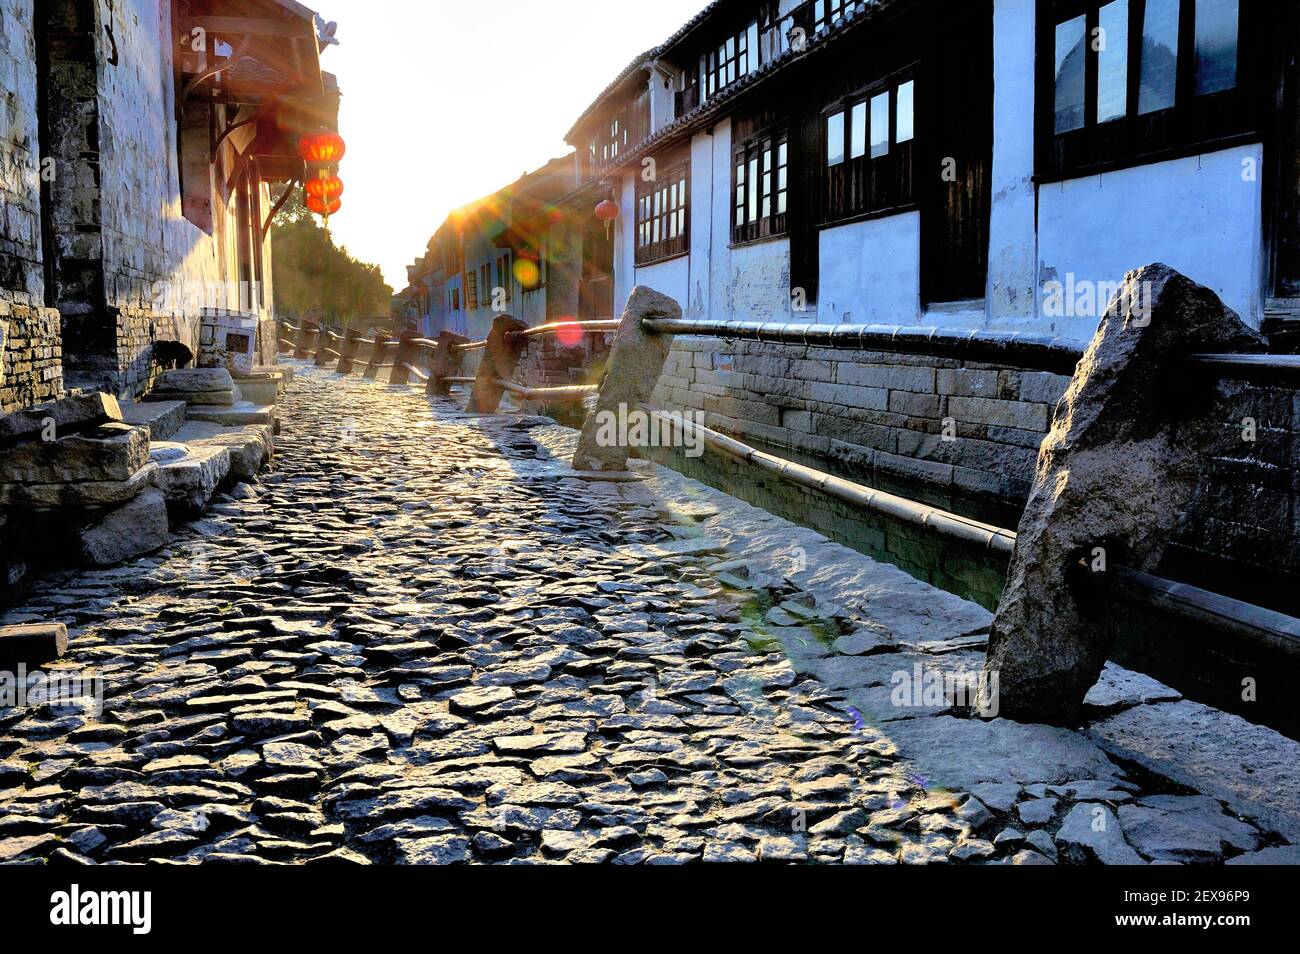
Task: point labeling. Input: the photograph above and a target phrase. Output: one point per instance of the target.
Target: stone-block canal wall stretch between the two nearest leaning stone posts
(960, 428)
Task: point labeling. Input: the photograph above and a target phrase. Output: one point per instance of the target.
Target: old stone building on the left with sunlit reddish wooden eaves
(138, 148)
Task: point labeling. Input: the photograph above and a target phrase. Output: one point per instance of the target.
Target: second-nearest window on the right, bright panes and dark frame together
(869, 145)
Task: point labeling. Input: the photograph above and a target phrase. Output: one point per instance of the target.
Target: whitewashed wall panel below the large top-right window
(1199, 215)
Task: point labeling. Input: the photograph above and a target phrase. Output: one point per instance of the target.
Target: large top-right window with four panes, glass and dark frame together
(1134, 80)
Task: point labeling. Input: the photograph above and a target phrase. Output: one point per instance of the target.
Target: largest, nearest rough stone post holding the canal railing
(1116, 476)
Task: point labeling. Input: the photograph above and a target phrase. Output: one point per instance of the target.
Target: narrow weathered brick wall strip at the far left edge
(31, 367)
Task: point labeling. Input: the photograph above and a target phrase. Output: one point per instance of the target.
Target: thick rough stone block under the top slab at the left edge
(111, 453)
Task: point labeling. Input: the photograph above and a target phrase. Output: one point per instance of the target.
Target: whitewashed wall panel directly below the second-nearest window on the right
(872, 271)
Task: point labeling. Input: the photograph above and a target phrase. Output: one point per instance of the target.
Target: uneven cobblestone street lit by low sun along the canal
(419, 641)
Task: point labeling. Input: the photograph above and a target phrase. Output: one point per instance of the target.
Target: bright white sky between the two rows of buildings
(448, 101)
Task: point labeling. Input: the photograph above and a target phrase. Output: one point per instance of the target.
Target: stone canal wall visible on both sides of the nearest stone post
(882, 419)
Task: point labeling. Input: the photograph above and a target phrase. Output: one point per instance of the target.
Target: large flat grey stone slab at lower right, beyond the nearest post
(1253, 769)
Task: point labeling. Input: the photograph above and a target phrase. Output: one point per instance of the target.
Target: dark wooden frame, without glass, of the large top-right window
(1197, 123)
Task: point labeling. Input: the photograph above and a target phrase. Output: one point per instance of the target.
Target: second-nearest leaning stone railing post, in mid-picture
(631, 375)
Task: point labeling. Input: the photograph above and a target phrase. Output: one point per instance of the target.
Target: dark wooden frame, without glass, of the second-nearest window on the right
(865, 187)
